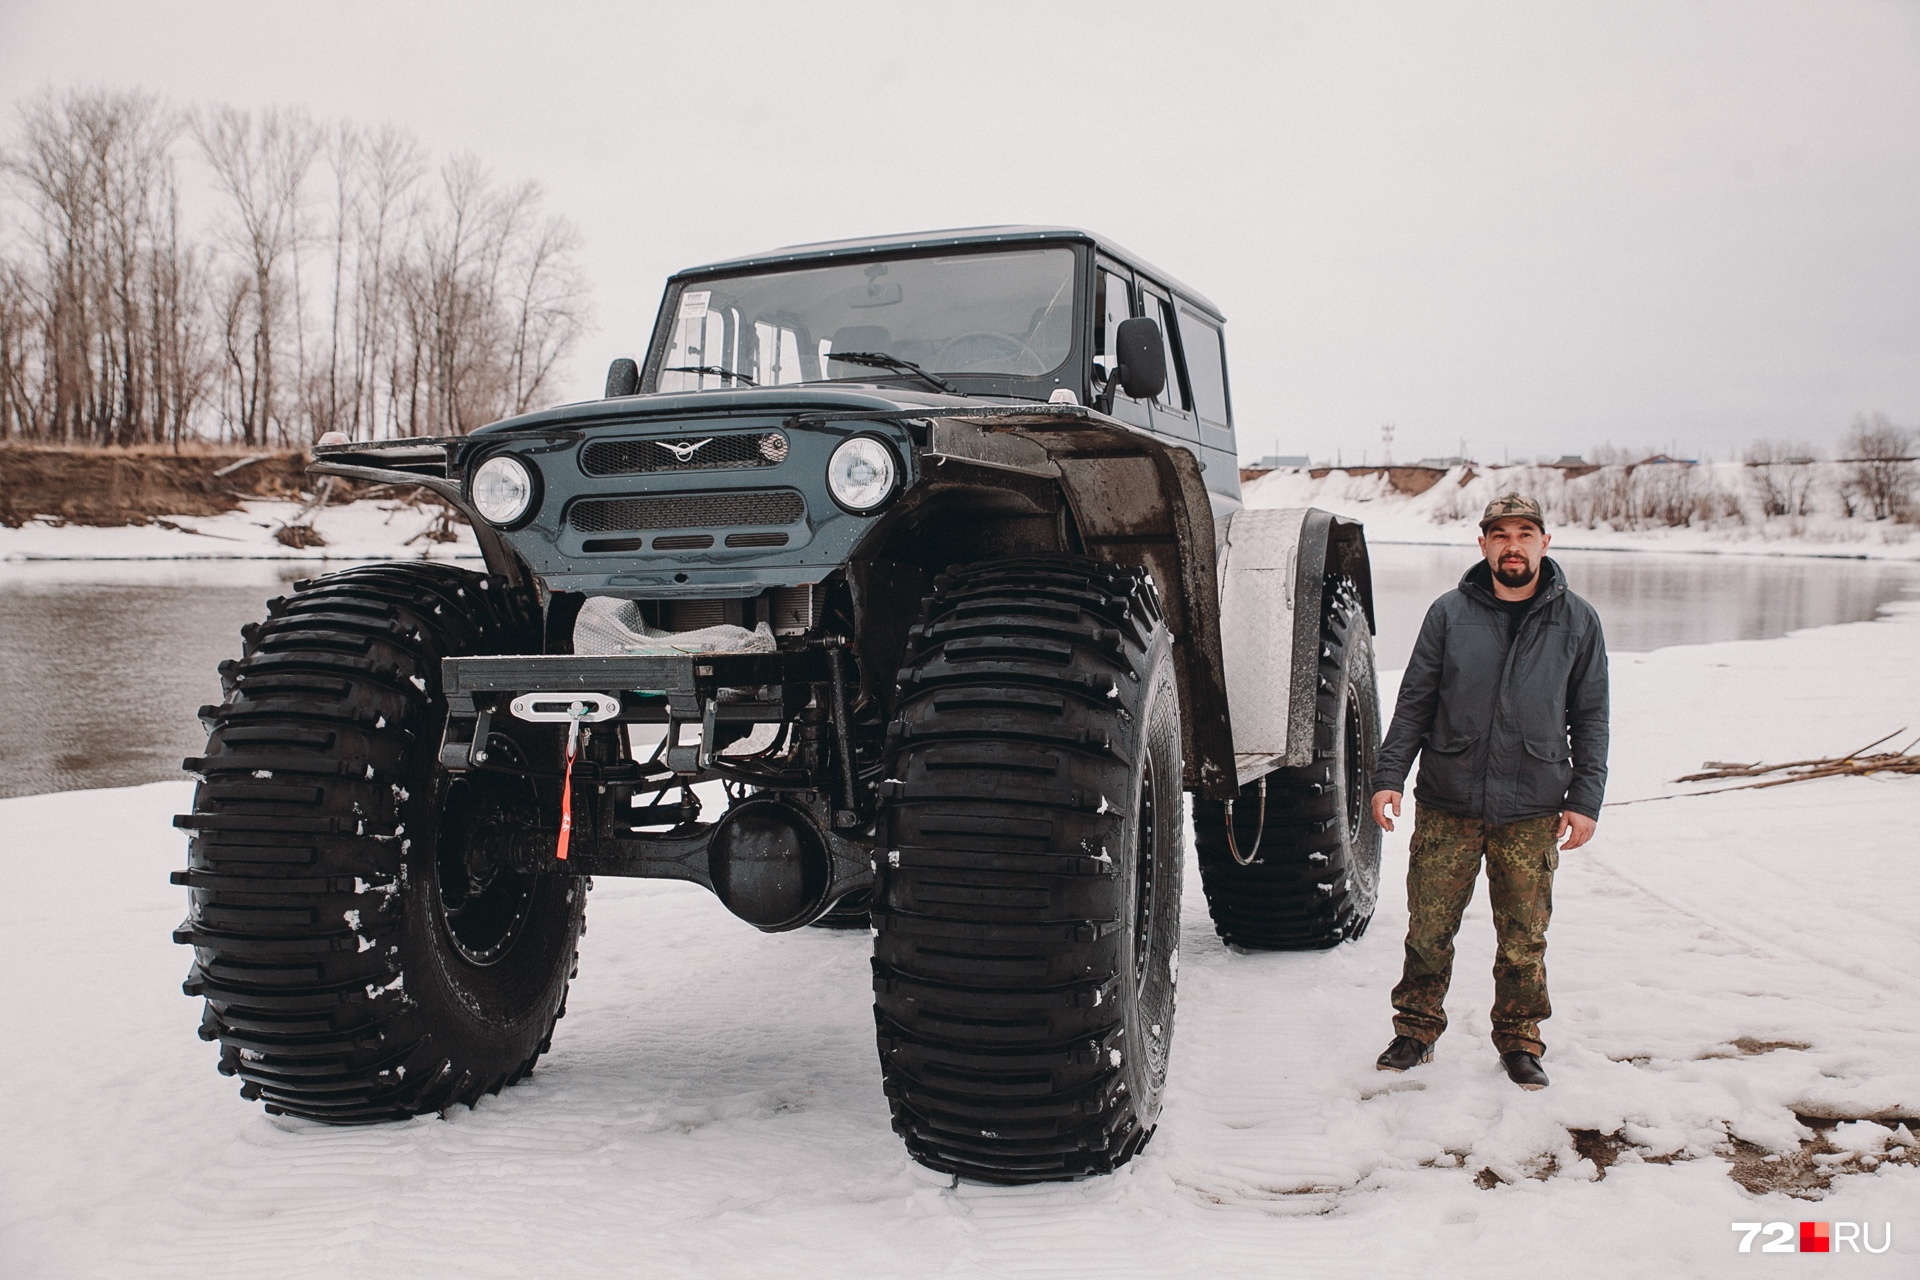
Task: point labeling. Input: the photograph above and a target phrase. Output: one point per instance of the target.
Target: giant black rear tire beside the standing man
(1316, 872)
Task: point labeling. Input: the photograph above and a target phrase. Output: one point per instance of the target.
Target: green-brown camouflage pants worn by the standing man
(1441, 874)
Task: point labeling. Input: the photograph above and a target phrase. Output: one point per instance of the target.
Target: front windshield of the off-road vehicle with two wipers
(957, 314)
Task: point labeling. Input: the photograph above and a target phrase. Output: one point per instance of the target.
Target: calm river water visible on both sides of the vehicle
(103, 667)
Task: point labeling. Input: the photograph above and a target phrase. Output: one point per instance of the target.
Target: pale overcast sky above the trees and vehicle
(1527, 227)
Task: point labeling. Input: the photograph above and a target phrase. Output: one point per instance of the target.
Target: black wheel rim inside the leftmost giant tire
(481, 901)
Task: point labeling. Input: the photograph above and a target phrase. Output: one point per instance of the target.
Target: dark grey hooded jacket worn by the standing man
(1504, 730)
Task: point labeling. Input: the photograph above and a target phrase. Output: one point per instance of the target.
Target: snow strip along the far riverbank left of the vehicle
(366, 531)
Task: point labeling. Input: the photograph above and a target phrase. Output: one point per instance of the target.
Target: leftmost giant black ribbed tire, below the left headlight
(360, 945)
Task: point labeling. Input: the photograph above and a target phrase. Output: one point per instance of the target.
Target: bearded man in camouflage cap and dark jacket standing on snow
(1506, 703)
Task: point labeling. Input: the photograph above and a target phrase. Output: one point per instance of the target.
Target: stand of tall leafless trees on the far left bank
(339, 293)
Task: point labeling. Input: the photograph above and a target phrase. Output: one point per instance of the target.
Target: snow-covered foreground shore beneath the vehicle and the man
(711, 1108)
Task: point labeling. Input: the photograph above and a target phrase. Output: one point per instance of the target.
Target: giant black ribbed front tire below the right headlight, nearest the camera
(1030, 872)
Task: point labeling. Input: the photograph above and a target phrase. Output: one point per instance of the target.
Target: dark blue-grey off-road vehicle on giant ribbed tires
(903, 584)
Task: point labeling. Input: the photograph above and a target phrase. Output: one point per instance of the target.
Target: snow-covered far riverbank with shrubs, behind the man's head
(1451, 511)
